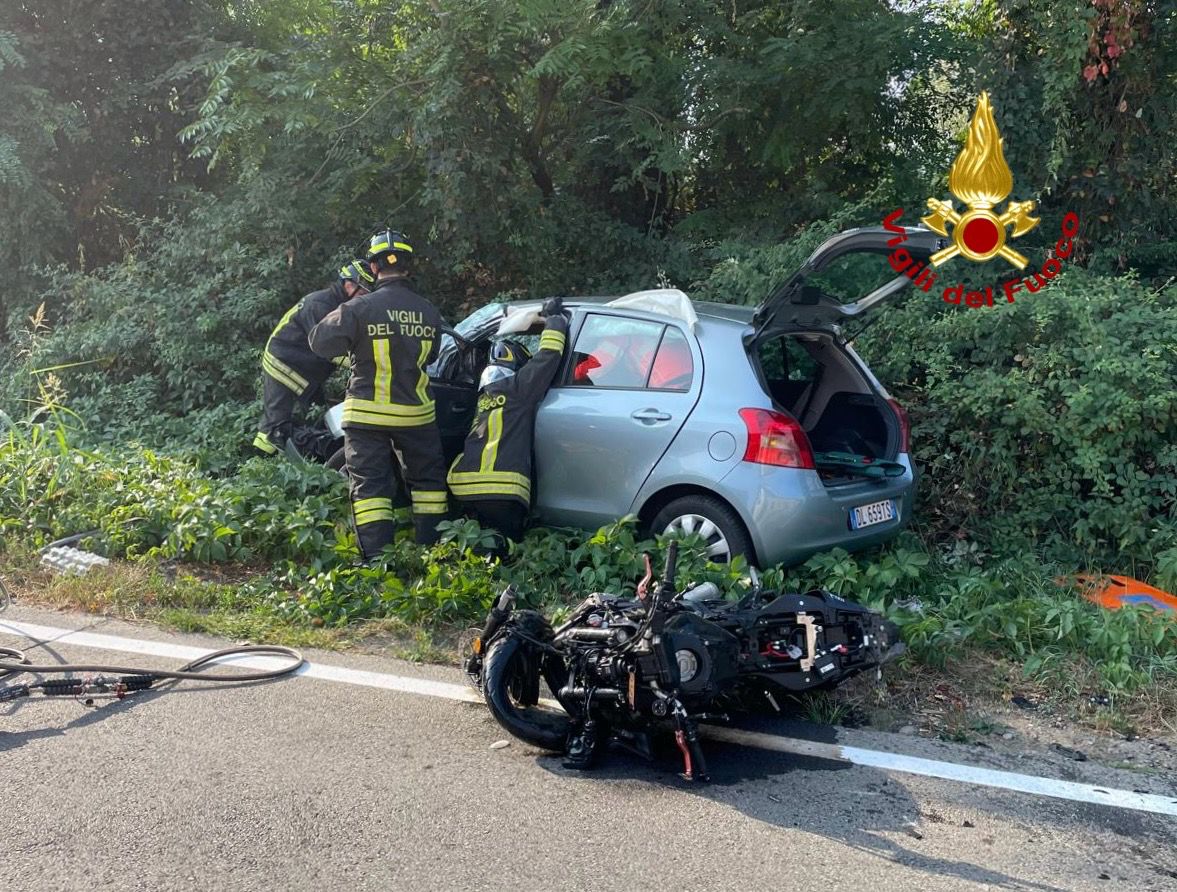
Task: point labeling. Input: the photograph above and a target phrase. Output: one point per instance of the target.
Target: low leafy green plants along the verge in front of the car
(288, 522)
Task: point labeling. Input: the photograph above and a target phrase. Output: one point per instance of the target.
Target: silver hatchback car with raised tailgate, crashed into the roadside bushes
(706, 418)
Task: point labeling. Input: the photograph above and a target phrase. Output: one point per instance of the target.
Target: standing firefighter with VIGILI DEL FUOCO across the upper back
(393, 335)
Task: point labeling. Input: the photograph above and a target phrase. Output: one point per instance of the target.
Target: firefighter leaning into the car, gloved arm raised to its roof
(493, 476)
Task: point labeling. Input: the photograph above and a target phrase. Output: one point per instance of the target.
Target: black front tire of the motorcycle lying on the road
(511, 676)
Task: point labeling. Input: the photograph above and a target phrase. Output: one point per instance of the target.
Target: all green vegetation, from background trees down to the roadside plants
(176, 175)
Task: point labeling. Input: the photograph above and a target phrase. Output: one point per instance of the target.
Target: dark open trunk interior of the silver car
(817, 383)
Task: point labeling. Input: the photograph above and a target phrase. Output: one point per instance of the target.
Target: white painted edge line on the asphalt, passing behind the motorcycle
(853, 755)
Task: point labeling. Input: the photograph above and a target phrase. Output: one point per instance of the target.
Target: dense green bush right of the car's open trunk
(1049, 424)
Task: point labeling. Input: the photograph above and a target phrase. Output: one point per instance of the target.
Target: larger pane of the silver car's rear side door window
(614, 352)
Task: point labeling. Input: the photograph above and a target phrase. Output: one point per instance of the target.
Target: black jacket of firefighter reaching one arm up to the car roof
(496, 463)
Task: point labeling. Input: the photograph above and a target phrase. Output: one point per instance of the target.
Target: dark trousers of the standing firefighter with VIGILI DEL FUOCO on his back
(369, 455)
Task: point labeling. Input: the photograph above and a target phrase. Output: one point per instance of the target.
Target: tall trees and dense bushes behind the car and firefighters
(177, 174)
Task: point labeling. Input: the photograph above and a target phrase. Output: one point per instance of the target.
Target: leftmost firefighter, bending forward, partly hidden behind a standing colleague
(291, 372)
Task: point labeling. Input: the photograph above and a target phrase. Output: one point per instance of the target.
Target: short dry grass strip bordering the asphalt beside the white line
(959, 701)
